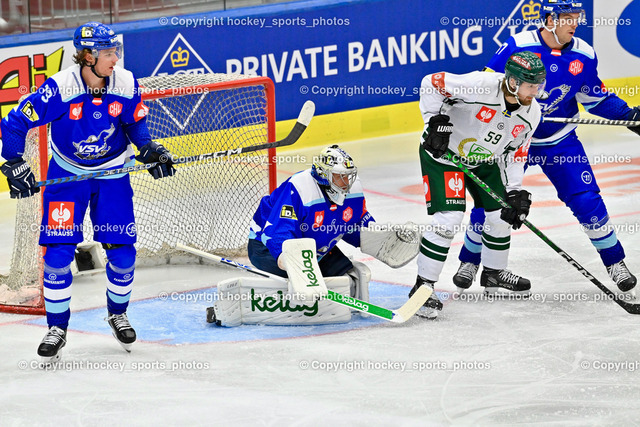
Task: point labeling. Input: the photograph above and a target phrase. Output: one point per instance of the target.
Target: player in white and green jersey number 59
(487, 119)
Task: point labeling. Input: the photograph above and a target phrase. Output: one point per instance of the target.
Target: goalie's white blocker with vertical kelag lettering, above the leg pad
(301, 263)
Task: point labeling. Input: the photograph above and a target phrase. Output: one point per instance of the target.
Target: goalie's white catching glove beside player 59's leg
(395, 245)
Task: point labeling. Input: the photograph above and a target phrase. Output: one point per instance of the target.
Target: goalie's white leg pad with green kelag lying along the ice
(264, 301)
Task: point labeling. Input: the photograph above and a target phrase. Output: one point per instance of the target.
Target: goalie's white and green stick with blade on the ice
(400, 315)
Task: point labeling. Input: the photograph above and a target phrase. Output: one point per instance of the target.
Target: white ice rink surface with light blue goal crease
(559, 358)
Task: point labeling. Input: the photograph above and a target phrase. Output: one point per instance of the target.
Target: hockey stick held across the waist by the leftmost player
(306, 114)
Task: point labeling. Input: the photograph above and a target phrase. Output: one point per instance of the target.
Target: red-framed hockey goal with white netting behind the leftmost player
(207, 205)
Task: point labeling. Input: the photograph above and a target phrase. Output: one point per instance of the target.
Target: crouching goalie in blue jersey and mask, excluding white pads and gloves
(325, 203)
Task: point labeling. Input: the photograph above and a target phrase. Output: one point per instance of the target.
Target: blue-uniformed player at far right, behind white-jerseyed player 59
(572, 79)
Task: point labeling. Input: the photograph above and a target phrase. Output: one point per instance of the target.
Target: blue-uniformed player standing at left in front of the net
(95, 113)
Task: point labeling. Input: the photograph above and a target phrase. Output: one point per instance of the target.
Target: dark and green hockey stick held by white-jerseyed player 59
(628, 307)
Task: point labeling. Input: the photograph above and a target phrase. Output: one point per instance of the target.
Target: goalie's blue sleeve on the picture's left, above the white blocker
(285, 220)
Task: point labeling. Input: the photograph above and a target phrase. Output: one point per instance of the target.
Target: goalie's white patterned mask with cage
(335, 172)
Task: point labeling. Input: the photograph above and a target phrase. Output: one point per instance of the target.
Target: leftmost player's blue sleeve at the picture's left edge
(39, 108)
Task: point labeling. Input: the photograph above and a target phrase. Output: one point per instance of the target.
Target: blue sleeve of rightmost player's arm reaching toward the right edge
(597, 100)
